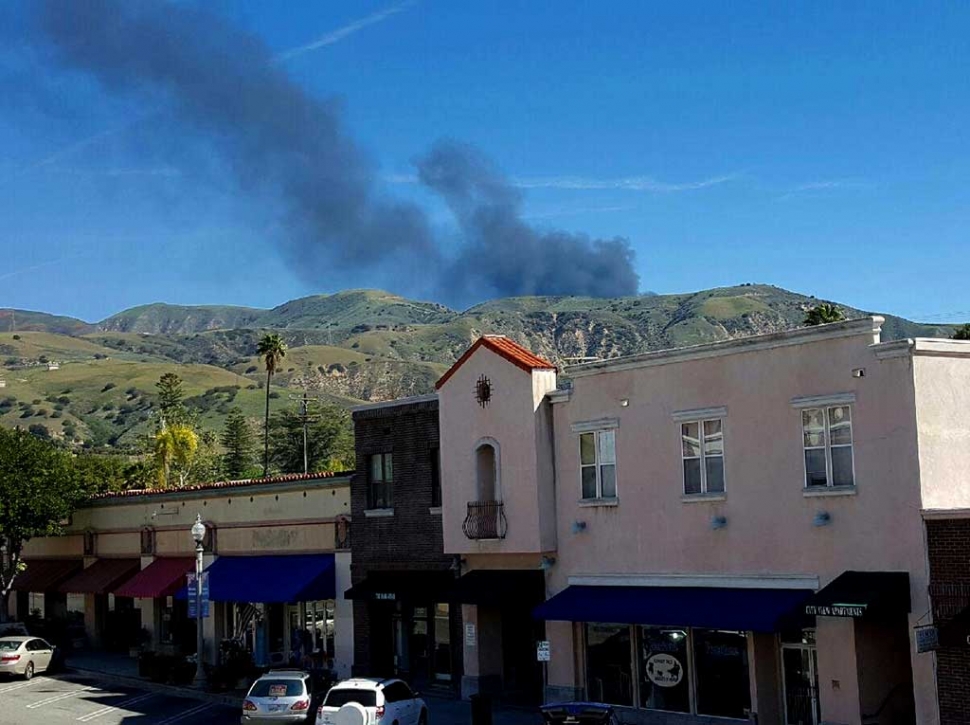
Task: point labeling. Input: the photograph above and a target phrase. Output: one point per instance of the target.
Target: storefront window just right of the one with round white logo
(721, 667)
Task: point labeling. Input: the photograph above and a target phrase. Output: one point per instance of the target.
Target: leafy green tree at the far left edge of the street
(39, 488)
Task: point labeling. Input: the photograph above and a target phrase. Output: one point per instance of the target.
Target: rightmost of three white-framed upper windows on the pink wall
(827, 439)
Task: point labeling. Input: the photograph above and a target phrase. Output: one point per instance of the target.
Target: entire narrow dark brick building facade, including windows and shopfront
(404, 623)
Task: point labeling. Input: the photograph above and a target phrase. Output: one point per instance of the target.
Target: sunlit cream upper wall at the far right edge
(942, 373)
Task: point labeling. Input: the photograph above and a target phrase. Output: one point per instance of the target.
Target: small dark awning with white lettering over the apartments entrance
(857, 594)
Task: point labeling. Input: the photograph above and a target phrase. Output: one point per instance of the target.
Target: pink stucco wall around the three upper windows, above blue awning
(769, 516)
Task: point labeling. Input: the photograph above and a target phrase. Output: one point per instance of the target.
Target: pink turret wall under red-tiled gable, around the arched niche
(511, 419)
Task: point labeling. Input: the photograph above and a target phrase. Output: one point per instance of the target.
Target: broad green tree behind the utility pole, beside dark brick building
(330, 441)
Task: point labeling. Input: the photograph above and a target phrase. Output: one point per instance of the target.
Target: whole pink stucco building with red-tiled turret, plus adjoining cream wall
(733, 530)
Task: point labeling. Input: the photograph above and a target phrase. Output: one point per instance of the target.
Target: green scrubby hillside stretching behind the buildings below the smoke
(353, 346)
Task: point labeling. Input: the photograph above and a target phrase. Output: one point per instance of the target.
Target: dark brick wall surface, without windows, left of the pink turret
(411, 539)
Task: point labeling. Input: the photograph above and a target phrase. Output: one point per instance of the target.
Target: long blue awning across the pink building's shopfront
(756, 610)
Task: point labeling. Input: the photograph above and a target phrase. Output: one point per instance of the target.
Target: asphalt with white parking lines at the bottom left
(61, 699)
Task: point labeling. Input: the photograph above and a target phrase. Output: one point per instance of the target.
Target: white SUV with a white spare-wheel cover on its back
(365, 701)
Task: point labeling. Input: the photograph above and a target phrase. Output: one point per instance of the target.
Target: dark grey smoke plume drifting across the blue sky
(282, 143)
